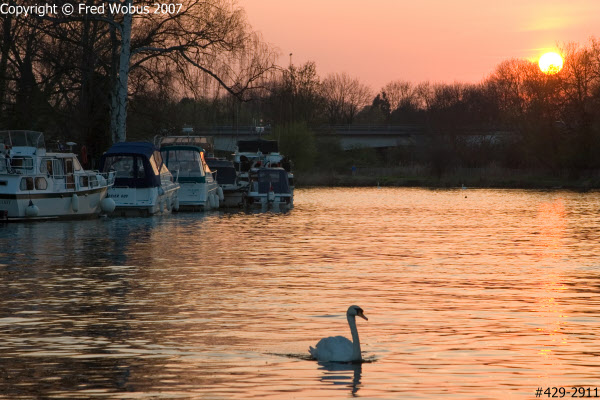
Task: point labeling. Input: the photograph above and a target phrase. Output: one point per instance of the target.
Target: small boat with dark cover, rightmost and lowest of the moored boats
(269, 190)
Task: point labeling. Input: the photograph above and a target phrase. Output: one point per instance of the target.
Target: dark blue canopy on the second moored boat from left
(137, 164)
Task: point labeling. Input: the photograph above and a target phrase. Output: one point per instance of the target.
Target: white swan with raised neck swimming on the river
(338, 348)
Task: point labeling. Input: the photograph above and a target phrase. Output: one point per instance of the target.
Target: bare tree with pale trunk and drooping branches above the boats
(211, 35)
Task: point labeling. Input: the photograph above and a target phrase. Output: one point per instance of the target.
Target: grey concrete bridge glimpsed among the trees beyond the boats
(350, 136)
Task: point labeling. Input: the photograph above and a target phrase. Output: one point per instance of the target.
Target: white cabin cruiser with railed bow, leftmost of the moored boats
(36, 184)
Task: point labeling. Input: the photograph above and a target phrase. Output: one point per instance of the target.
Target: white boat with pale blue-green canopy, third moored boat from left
(185, 157)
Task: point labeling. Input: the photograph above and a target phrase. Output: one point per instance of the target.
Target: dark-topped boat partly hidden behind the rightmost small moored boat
(251, 155)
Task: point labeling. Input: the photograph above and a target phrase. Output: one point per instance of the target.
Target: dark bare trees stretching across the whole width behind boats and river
(206, 67)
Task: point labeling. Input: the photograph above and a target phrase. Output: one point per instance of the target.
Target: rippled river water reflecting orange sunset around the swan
(470, 294)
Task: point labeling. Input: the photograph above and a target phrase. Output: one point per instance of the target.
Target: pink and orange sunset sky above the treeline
(416, 40)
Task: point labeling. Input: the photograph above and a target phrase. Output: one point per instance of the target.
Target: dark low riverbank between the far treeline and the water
(416, 176)
